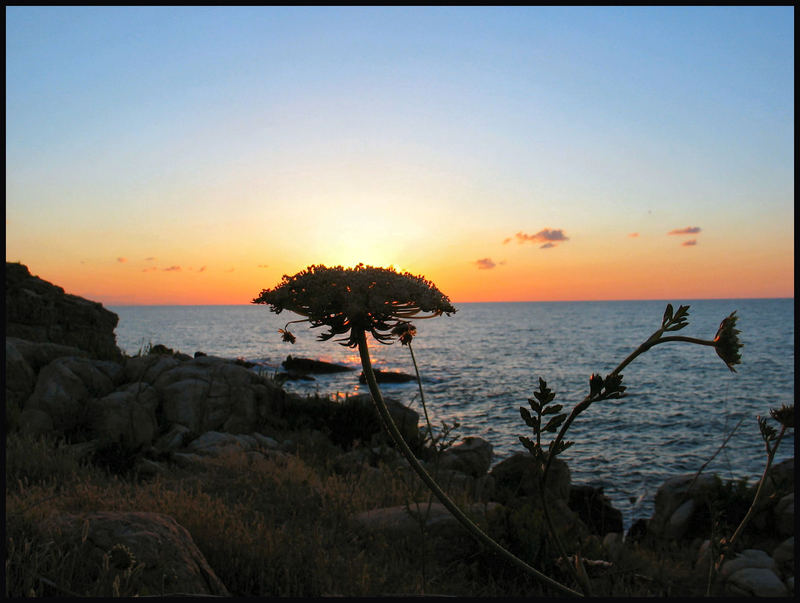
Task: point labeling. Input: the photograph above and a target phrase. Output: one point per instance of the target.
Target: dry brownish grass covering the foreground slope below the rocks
(268, 527)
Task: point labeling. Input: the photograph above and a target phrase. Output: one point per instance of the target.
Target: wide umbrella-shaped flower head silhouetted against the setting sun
(351, 301)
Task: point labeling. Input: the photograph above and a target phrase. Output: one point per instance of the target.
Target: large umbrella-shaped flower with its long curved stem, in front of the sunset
(354, 301)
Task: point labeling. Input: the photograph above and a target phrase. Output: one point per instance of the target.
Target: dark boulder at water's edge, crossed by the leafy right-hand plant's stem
(518, 475)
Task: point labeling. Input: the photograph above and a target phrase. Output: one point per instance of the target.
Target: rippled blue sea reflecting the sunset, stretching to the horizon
(481, 364)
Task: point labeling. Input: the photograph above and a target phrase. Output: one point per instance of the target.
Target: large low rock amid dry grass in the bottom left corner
(171, 562)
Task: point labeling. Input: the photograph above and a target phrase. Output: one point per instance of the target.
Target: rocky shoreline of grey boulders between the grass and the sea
(66, 377)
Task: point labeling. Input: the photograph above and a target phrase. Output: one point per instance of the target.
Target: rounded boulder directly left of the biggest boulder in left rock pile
(125, 416)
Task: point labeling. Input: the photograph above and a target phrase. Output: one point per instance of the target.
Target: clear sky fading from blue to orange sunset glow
(195, 155)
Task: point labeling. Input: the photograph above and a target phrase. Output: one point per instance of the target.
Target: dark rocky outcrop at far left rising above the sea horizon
(40, 311)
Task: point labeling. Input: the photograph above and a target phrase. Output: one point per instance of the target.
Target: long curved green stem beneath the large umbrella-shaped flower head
(479, 534)
